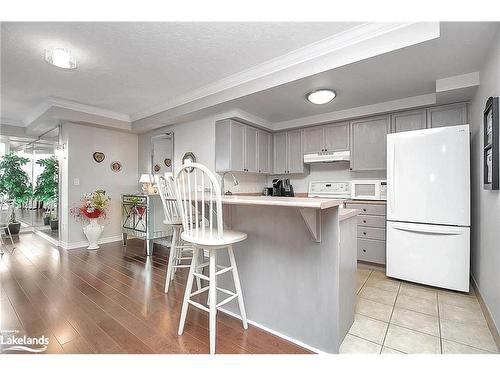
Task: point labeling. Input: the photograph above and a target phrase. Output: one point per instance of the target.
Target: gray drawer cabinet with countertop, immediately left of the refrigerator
(370, 231)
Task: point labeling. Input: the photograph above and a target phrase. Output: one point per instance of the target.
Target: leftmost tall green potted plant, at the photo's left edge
(15, 185)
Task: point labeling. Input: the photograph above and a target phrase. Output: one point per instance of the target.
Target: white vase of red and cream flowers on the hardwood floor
(90, 208)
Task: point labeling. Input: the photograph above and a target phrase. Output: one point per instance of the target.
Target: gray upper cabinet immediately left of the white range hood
(288, 153)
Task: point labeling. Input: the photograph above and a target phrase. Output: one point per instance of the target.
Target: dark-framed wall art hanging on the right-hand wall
(490, 152)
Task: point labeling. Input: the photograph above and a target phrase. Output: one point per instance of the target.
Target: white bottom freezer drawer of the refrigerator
(434, 255)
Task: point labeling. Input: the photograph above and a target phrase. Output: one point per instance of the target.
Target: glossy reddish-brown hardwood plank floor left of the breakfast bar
(111, 301)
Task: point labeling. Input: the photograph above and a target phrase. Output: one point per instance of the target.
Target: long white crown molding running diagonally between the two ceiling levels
(310, 52)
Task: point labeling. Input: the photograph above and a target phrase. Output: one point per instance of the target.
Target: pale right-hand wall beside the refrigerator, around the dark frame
(485, 234)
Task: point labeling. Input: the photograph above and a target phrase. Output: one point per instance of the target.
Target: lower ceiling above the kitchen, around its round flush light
(408, 72)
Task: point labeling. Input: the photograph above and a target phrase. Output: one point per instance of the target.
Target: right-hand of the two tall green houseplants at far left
(46, 189)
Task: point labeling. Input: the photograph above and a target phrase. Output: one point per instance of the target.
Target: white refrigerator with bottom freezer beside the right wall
(428, 206)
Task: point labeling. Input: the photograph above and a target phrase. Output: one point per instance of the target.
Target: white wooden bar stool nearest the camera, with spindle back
(196, 186)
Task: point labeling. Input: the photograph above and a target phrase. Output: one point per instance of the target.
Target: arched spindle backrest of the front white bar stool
(197, 187)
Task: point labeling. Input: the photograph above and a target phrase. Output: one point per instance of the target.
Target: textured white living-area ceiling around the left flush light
(131, 67)
